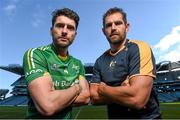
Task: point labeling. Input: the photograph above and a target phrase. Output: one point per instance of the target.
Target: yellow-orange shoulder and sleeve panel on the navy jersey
(146, 63)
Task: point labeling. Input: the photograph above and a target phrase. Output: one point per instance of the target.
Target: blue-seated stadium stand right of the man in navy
(167, 82)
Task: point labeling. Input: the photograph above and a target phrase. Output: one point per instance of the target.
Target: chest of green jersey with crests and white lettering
(63, 73)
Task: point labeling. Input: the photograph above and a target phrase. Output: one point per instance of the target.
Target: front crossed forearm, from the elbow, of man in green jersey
(56, 100)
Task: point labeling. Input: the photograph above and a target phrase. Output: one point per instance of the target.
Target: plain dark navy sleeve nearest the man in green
(96, 78)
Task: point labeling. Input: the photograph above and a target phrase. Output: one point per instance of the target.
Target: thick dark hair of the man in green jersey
(65, 12)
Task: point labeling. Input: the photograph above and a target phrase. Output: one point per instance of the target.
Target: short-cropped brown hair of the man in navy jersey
(112, 11)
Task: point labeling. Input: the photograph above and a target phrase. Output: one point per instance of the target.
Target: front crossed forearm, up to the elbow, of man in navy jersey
(130, 96)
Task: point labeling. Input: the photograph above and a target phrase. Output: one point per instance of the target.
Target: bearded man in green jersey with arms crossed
(56, 80)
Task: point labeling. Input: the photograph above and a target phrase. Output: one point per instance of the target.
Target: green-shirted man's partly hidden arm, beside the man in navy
(84, 96)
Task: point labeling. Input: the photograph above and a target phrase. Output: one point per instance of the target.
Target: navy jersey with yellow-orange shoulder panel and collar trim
(136, 58)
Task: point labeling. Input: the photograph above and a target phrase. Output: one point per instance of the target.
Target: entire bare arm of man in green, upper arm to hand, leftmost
(49, 101)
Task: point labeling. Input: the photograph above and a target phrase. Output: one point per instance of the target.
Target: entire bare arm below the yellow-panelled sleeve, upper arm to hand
(134, 95)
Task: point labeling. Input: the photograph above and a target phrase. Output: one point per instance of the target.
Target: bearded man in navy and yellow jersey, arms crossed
(123, 76)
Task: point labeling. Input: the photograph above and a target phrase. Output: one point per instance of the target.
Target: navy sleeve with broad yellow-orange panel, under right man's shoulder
(141, 61)
